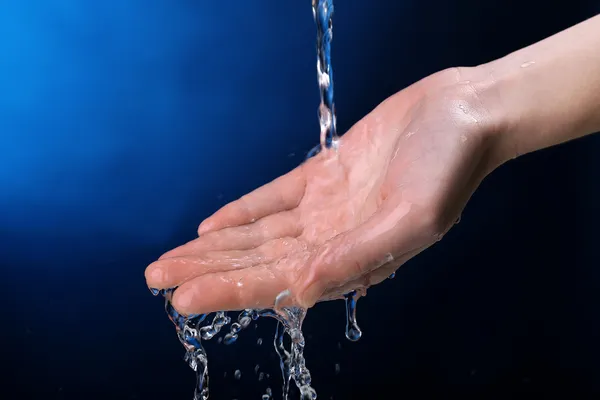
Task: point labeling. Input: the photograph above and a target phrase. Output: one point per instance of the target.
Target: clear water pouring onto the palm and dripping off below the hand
(289, 320)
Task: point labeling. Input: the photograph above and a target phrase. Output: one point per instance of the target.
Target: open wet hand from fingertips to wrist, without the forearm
(343, 220)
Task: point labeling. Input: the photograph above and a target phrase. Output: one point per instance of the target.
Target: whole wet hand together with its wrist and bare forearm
(401, 177)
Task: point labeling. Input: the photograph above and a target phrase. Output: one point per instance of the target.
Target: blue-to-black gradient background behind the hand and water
(124, 123)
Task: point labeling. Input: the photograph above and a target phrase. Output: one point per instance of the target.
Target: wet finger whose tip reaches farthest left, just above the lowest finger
(174, 271)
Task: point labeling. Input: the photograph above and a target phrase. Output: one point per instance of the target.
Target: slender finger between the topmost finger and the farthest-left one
(246, 237)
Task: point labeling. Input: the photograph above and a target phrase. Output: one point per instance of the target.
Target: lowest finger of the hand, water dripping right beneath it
(256, 287)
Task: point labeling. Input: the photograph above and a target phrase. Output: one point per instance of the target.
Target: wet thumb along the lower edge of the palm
(398, 228)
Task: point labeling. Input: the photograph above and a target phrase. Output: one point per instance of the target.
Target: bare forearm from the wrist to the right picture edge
(547, 93)
